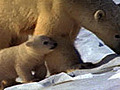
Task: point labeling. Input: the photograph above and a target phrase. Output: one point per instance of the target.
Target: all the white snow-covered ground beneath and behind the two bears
(93, 50)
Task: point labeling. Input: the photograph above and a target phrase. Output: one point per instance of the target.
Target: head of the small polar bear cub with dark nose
(42, 44)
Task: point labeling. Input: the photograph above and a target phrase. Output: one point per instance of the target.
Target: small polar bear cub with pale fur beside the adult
(21, 60)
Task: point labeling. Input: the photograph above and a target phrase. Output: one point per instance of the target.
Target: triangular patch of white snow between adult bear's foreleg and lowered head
(90, 47)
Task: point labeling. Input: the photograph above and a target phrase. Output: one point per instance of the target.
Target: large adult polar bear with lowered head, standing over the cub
(60, 20)
